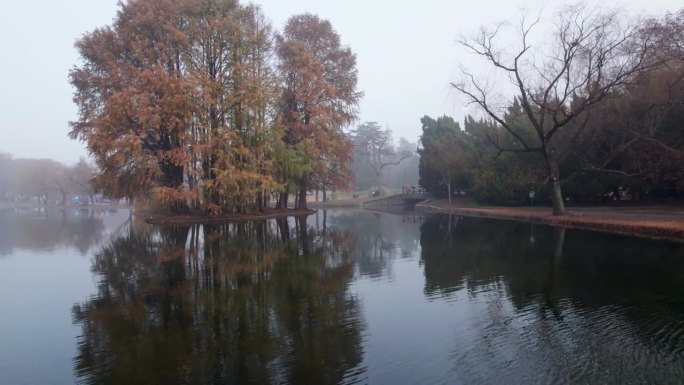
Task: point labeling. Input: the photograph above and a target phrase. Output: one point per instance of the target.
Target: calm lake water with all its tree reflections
(99, 297)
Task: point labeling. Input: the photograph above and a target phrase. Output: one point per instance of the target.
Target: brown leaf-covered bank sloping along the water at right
(654, 221)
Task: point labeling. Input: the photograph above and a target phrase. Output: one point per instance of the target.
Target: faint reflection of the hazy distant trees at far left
(48, 228)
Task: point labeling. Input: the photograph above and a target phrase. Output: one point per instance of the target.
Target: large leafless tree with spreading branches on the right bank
(590, 55)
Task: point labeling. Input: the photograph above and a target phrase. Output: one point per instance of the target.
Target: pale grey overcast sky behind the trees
(406, 55)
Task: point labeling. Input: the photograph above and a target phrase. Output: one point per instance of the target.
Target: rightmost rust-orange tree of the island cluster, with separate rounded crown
(319, 98)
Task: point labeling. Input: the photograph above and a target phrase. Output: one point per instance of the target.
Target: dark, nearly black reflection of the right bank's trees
(565, 262)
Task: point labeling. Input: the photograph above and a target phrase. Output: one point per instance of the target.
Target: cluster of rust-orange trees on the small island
(202, 106)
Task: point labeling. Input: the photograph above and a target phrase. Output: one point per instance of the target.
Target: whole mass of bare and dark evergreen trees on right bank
(598, 116)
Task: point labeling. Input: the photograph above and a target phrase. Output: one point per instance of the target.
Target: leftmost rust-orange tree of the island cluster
(134, 104)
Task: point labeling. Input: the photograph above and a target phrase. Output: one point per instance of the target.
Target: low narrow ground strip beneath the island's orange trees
(176, 220)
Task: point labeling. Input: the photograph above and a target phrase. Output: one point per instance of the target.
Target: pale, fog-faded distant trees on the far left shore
(45, 181)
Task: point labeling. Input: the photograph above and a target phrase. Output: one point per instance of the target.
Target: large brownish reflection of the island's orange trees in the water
(256, 302)
